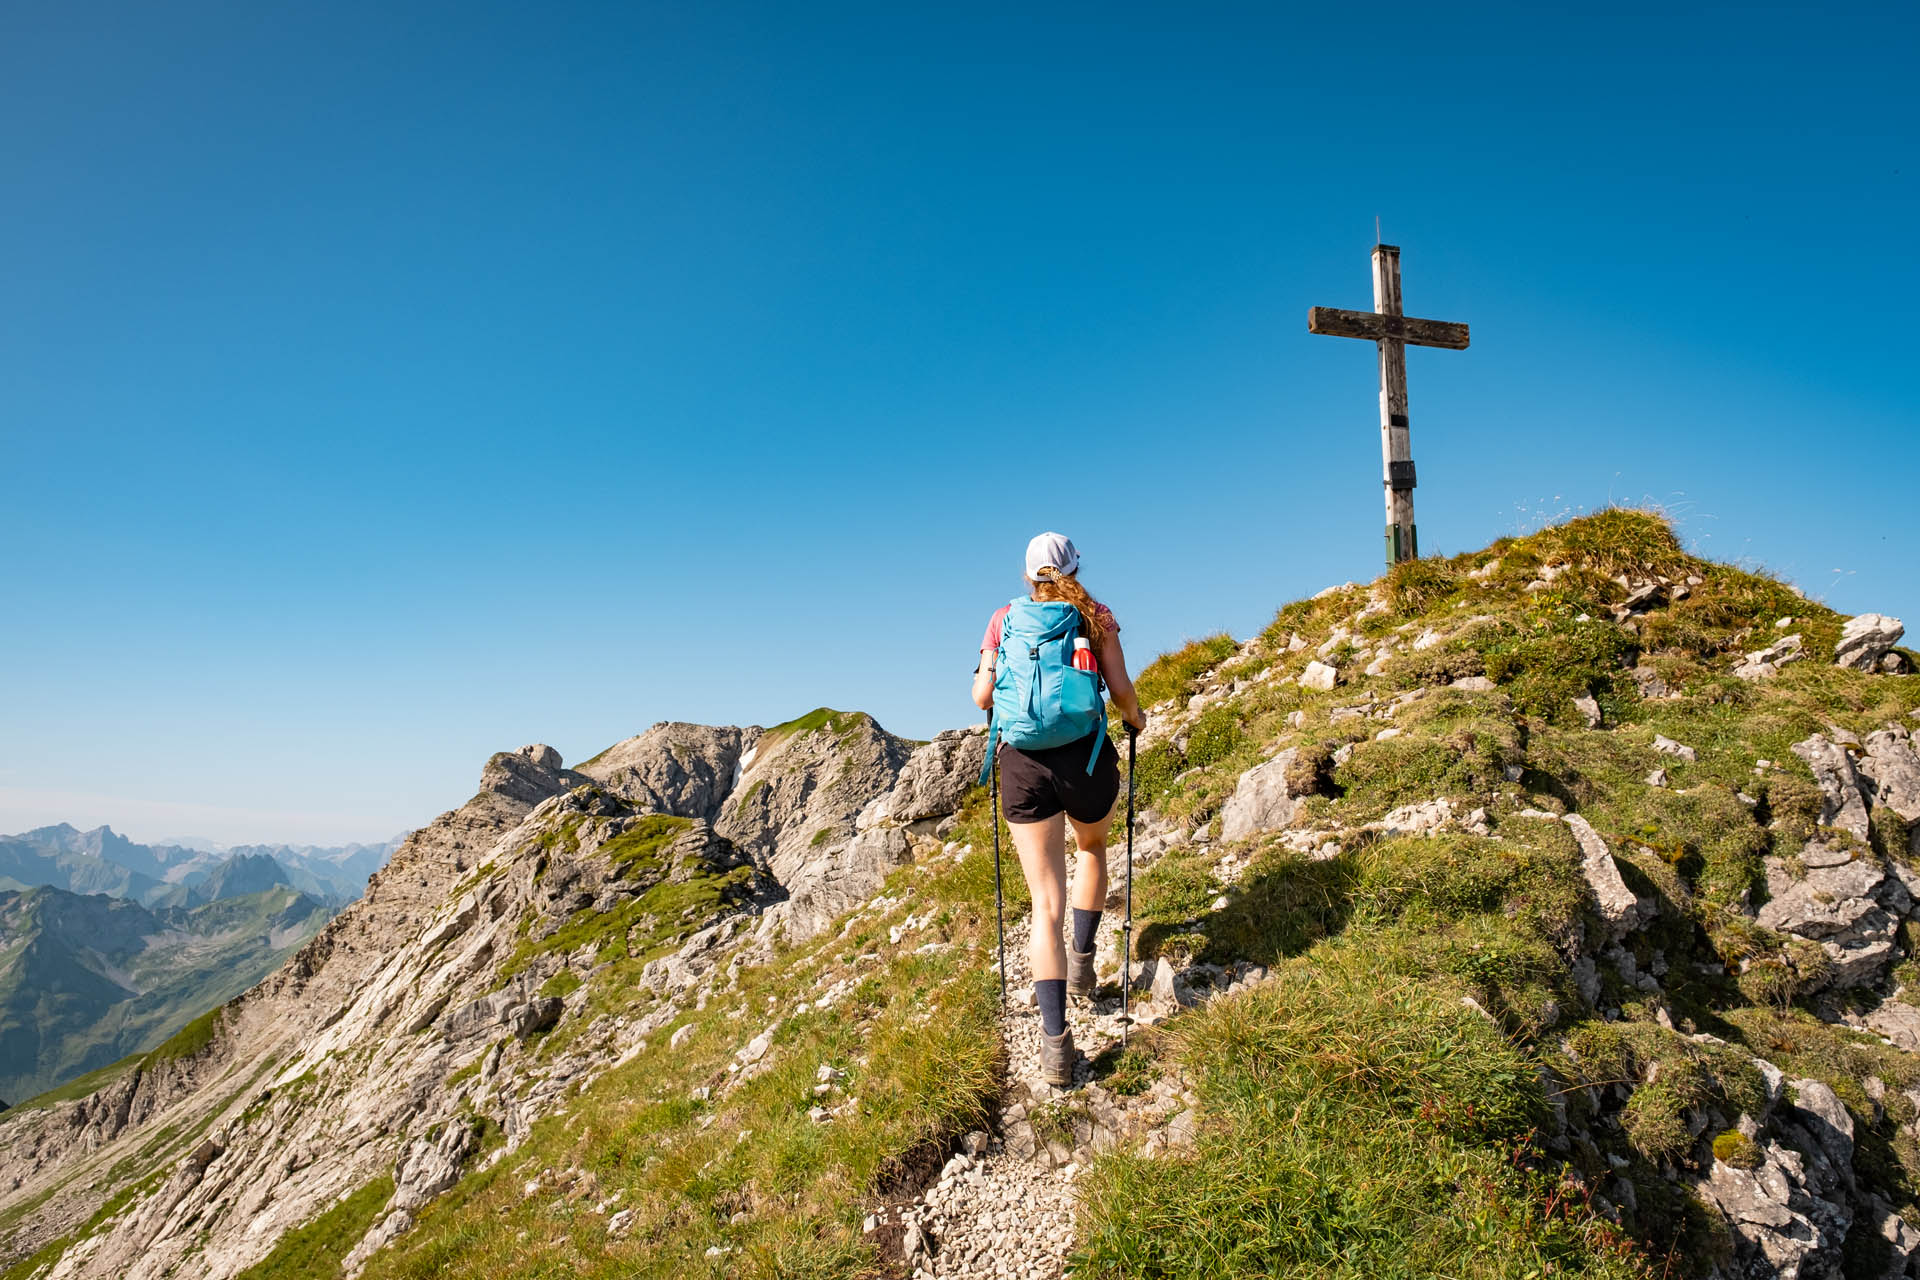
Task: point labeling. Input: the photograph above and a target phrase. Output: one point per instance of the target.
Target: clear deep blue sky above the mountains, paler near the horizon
(387, 385)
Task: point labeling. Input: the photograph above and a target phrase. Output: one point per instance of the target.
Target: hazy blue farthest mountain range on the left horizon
(183, 874)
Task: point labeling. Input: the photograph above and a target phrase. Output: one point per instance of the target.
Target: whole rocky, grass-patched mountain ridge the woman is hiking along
(1558, 893)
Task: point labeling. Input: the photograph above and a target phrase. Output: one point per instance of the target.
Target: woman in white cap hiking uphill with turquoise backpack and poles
(1057, 767)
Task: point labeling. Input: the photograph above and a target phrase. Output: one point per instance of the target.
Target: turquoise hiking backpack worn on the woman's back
(1040, 698)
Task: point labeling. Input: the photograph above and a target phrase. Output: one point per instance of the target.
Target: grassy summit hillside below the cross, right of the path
(1360, 1116)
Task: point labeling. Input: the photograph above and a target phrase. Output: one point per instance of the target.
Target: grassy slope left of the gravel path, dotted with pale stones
(915, 1035)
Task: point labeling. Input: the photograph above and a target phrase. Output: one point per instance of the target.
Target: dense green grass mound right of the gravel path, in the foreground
(1355, 1127)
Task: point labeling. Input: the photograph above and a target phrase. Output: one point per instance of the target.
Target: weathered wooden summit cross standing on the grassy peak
(1393, 331)
